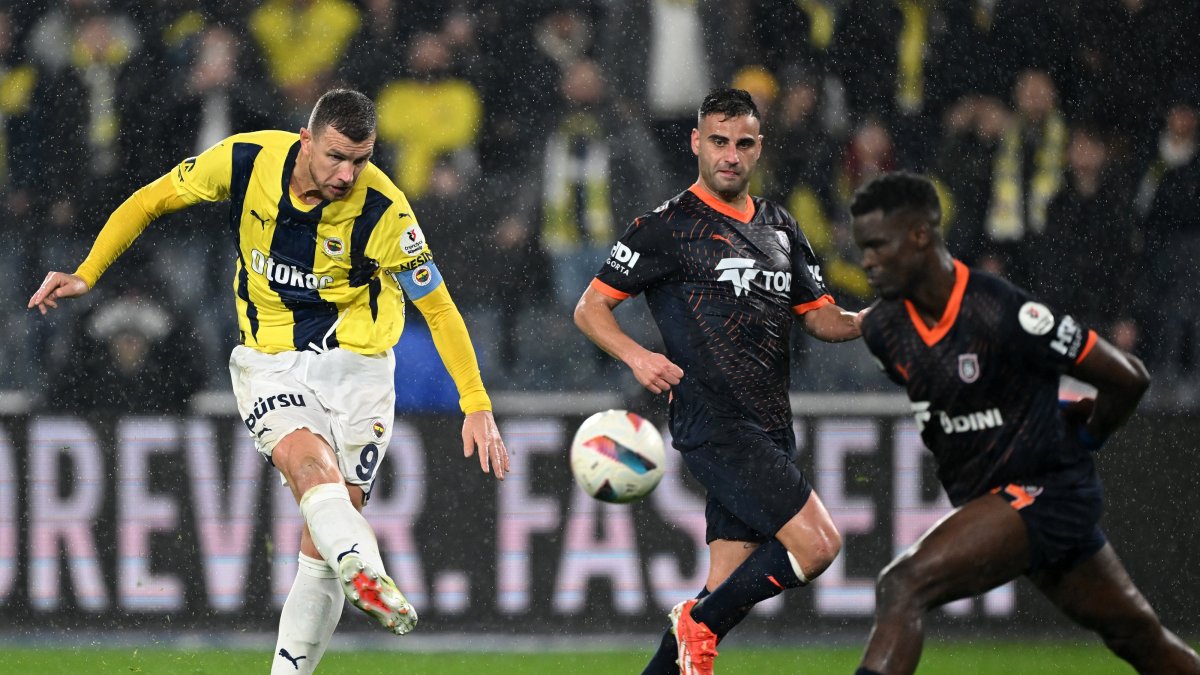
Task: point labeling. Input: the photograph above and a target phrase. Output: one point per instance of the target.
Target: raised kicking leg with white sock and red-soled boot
(340, 534)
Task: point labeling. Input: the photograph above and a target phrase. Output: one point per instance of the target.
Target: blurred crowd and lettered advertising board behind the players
(526, 134)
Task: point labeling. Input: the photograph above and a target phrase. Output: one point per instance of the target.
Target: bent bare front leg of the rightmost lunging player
(974, 549)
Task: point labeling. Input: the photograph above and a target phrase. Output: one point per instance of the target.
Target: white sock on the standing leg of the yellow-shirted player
(309, 618)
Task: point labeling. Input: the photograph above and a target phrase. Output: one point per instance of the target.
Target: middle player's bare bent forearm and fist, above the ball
(595, 318)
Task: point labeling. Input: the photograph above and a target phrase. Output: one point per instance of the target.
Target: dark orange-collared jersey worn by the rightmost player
(985, 383)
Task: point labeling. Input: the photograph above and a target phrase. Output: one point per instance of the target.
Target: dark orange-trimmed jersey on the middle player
(724, 288)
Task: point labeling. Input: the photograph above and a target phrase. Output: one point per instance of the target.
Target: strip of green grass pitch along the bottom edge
(986, 659)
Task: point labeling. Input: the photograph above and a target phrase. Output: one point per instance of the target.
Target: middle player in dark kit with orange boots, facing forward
(725, 274)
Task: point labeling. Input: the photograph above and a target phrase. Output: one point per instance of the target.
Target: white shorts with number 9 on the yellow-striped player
(346, 398)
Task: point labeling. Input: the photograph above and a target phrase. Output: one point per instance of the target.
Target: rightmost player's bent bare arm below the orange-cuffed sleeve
(1120, 380)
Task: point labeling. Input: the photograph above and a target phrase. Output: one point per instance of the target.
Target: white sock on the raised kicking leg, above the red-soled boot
(338, 528)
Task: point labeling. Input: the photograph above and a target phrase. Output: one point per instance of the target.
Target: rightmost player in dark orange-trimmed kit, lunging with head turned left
(981, 361)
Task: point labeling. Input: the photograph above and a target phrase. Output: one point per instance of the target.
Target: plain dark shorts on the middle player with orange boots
(754, 485)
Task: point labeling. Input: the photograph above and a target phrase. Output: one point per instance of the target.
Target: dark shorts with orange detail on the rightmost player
(1061, 517)
